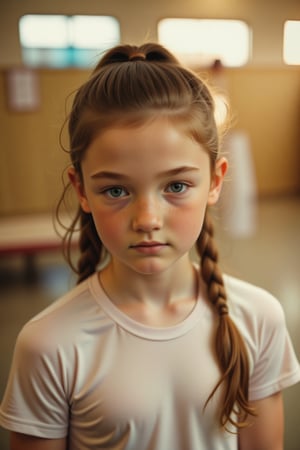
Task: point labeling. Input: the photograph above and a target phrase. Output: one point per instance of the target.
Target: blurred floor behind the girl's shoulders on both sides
(267, 254)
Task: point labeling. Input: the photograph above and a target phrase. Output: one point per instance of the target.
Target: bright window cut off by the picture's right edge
(291, 39)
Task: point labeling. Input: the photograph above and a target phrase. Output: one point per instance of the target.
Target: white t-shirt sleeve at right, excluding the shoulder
(274, 362)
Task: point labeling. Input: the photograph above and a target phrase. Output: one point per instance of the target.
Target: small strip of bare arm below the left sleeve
(20, 441)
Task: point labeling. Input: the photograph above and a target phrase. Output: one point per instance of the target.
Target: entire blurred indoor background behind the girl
(248, 51)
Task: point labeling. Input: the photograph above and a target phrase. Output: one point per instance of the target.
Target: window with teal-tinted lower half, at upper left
(62, 41)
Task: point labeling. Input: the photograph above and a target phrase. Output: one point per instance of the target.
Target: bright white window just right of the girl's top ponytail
(202, 41)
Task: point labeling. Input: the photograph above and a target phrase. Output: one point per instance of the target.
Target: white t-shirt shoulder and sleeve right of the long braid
(261, 321)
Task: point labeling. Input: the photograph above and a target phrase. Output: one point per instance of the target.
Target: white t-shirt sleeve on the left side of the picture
(35, 400)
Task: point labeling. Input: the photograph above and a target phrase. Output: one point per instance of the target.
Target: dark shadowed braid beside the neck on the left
(90, 248)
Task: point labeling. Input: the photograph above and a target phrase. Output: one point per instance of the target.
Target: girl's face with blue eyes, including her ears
(147, 189)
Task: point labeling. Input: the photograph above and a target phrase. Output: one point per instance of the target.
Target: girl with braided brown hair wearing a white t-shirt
(149, 351)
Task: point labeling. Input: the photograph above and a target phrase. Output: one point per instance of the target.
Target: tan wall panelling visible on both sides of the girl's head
(266, 103)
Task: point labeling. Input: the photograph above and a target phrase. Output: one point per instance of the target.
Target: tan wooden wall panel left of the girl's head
(31, 157)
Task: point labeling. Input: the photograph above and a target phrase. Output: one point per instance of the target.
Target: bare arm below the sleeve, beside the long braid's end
(266, 430)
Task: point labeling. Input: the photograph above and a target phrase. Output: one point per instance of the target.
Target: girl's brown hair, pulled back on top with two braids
(131, 85)
